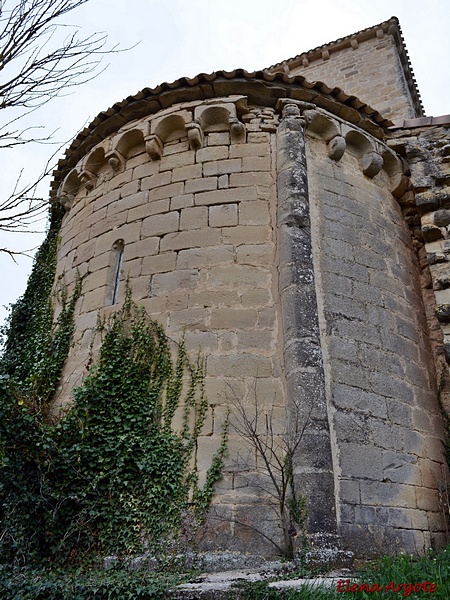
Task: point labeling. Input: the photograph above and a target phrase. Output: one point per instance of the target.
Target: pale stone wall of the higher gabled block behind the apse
(371, 71)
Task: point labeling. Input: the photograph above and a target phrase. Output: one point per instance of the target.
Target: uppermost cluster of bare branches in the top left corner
(44, 71)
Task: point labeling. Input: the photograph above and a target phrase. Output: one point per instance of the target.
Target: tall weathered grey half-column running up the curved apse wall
(301, 339)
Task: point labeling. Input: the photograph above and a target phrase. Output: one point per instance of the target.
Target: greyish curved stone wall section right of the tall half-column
(386, 423)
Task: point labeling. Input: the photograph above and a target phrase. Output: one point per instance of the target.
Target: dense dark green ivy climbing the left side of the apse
(117, 473)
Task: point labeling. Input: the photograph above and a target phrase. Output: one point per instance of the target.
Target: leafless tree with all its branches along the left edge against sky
(41, 57)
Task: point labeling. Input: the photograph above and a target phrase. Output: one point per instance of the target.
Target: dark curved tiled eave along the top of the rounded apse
(260, 88)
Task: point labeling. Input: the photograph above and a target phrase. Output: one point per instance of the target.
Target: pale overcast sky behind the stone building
(179, 38)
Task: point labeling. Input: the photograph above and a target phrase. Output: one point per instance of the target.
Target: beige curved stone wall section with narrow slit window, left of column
(199, 237)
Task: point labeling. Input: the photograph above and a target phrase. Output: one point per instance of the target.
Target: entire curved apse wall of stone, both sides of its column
(298, 281)
